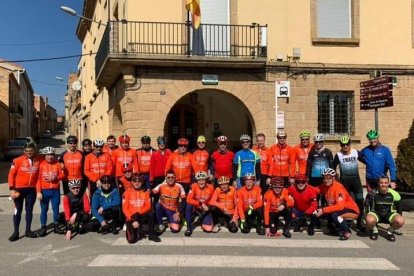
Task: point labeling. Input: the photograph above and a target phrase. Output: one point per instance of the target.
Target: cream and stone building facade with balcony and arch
(153, 74)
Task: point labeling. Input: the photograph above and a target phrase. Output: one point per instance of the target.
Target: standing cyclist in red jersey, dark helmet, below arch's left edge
(159, 161)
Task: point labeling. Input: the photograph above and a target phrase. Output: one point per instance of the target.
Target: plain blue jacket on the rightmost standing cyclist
(378, 161)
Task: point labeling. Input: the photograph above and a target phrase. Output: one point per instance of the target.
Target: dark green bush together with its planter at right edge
(405, 170)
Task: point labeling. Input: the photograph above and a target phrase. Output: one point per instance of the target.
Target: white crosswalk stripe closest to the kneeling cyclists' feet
(265, 242)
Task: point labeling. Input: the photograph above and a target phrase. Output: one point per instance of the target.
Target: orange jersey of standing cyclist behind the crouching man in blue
(97, 166)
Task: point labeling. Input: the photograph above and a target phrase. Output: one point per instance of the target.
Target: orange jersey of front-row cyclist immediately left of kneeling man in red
(272, 201)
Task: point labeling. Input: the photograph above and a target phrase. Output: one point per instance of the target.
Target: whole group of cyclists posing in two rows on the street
(143, 191)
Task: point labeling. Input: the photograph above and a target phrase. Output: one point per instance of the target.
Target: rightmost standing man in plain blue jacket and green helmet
(378, 160)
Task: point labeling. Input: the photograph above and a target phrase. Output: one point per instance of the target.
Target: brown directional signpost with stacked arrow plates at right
(377, 93)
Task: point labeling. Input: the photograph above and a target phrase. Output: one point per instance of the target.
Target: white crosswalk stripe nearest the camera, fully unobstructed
(221, 261)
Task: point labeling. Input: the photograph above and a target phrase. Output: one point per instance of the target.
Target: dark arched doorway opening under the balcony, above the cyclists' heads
(208, 112)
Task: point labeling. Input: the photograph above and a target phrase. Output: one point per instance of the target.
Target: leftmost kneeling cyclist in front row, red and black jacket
(76, 209)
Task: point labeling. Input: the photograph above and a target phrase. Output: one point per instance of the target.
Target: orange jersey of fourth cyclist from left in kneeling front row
(170, 195)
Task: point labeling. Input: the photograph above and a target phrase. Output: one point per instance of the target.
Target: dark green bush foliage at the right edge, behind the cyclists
(405, 162)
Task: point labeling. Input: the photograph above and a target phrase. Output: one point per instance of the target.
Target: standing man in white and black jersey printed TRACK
(347, 159)
